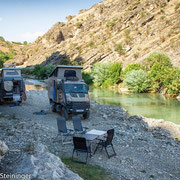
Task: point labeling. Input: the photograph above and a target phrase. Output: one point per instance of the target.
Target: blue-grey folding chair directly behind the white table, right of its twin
(78, 128)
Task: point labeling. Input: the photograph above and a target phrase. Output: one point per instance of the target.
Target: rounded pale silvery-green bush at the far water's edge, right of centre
(137, 80)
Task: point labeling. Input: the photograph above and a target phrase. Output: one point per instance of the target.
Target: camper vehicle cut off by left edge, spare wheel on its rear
(12, 88)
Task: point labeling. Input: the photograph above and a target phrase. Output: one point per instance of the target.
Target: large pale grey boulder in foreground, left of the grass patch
(43, 165)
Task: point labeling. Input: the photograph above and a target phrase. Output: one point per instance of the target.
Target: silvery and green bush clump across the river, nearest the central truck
(106, 74)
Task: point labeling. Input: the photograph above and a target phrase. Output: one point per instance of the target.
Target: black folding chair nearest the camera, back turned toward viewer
(81, 146)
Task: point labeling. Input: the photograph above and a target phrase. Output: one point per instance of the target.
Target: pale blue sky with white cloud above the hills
(25, 20)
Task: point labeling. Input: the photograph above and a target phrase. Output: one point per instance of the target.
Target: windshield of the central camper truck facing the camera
(76, 88)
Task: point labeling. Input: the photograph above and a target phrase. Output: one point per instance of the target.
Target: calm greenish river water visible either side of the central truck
(148, 105)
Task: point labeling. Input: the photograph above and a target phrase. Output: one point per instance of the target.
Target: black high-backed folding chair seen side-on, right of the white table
(107, 143)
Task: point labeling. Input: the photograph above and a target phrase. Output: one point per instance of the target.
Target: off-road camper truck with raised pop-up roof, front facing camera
(67, 91)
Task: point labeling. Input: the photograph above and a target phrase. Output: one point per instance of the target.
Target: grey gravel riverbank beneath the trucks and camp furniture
(146, 148)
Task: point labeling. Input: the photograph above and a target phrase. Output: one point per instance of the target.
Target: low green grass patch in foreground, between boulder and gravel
(86, 171)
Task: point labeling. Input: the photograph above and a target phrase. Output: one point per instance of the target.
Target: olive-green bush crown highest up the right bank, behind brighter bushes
(156, 57)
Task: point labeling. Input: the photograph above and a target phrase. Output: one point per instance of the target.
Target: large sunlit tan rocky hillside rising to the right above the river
(113, 30)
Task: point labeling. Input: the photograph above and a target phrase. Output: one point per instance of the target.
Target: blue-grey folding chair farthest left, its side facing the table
(63, 131)
